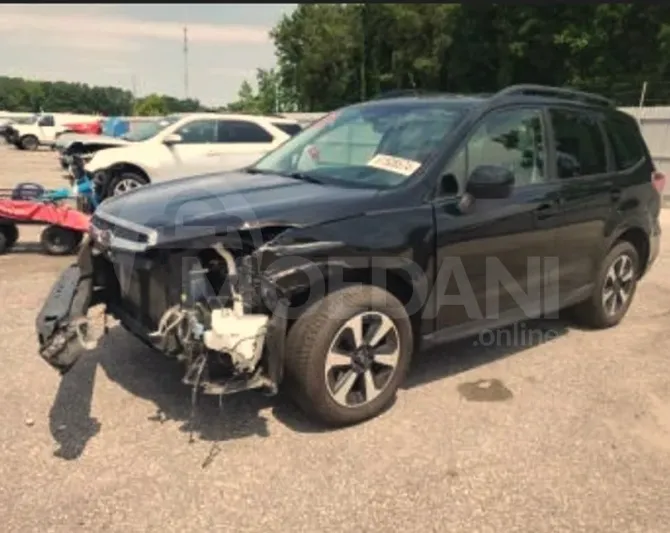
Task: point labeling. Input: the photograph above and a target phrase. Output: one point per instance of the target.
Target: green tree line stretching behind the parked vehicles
(331, 55)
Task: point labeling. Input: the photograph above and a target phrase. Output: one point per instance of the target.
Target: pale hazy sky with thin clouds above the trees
(140, 46)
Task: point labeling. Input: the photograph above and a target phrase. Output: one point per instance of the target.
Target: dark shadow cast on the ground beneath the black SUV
(149, 375)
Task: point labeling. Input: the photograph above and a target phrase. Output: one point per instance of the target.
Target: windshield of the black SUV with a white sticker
(378, 145)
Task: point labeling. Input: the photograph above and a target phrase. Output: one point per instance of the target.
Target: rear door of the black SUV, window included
(588, 194)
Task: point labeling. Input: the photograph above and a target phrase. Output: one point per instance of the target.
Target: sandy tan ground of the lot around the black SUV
(573, 435)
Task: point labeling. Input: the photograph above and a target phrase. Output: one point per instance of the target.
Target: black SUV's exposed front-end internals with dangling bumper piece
(212, 311)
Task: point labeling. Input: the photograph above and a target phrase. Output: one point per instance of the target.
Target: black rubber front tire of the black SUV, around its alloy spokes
(314, 387)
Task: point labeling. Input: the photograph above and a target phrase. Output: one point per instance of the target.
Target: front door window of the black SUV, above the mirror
(513, 139)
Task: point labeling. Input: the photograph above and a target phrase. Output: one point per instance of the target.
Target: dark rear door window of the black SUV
(580, 147)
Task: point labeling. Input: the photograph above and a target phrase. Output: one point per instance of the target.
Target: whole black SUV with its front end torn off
(384, 227)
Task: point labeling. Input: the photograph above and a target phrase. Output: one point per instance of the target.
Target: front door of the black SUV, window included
(495, 257)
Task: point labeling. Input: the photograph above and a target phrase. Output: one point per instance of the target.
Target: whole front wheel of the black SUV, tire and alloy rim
(347, 355)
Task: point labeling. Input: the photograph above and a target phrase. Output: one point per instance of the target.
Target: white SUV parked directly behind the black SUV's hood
(184, 145)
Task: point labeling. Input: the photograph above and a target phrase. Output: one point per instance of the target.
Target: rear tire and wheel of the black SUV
(593, 313)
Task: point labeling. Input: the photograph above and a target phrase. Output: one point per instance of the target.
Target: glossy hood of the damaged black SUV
(203, 205)
